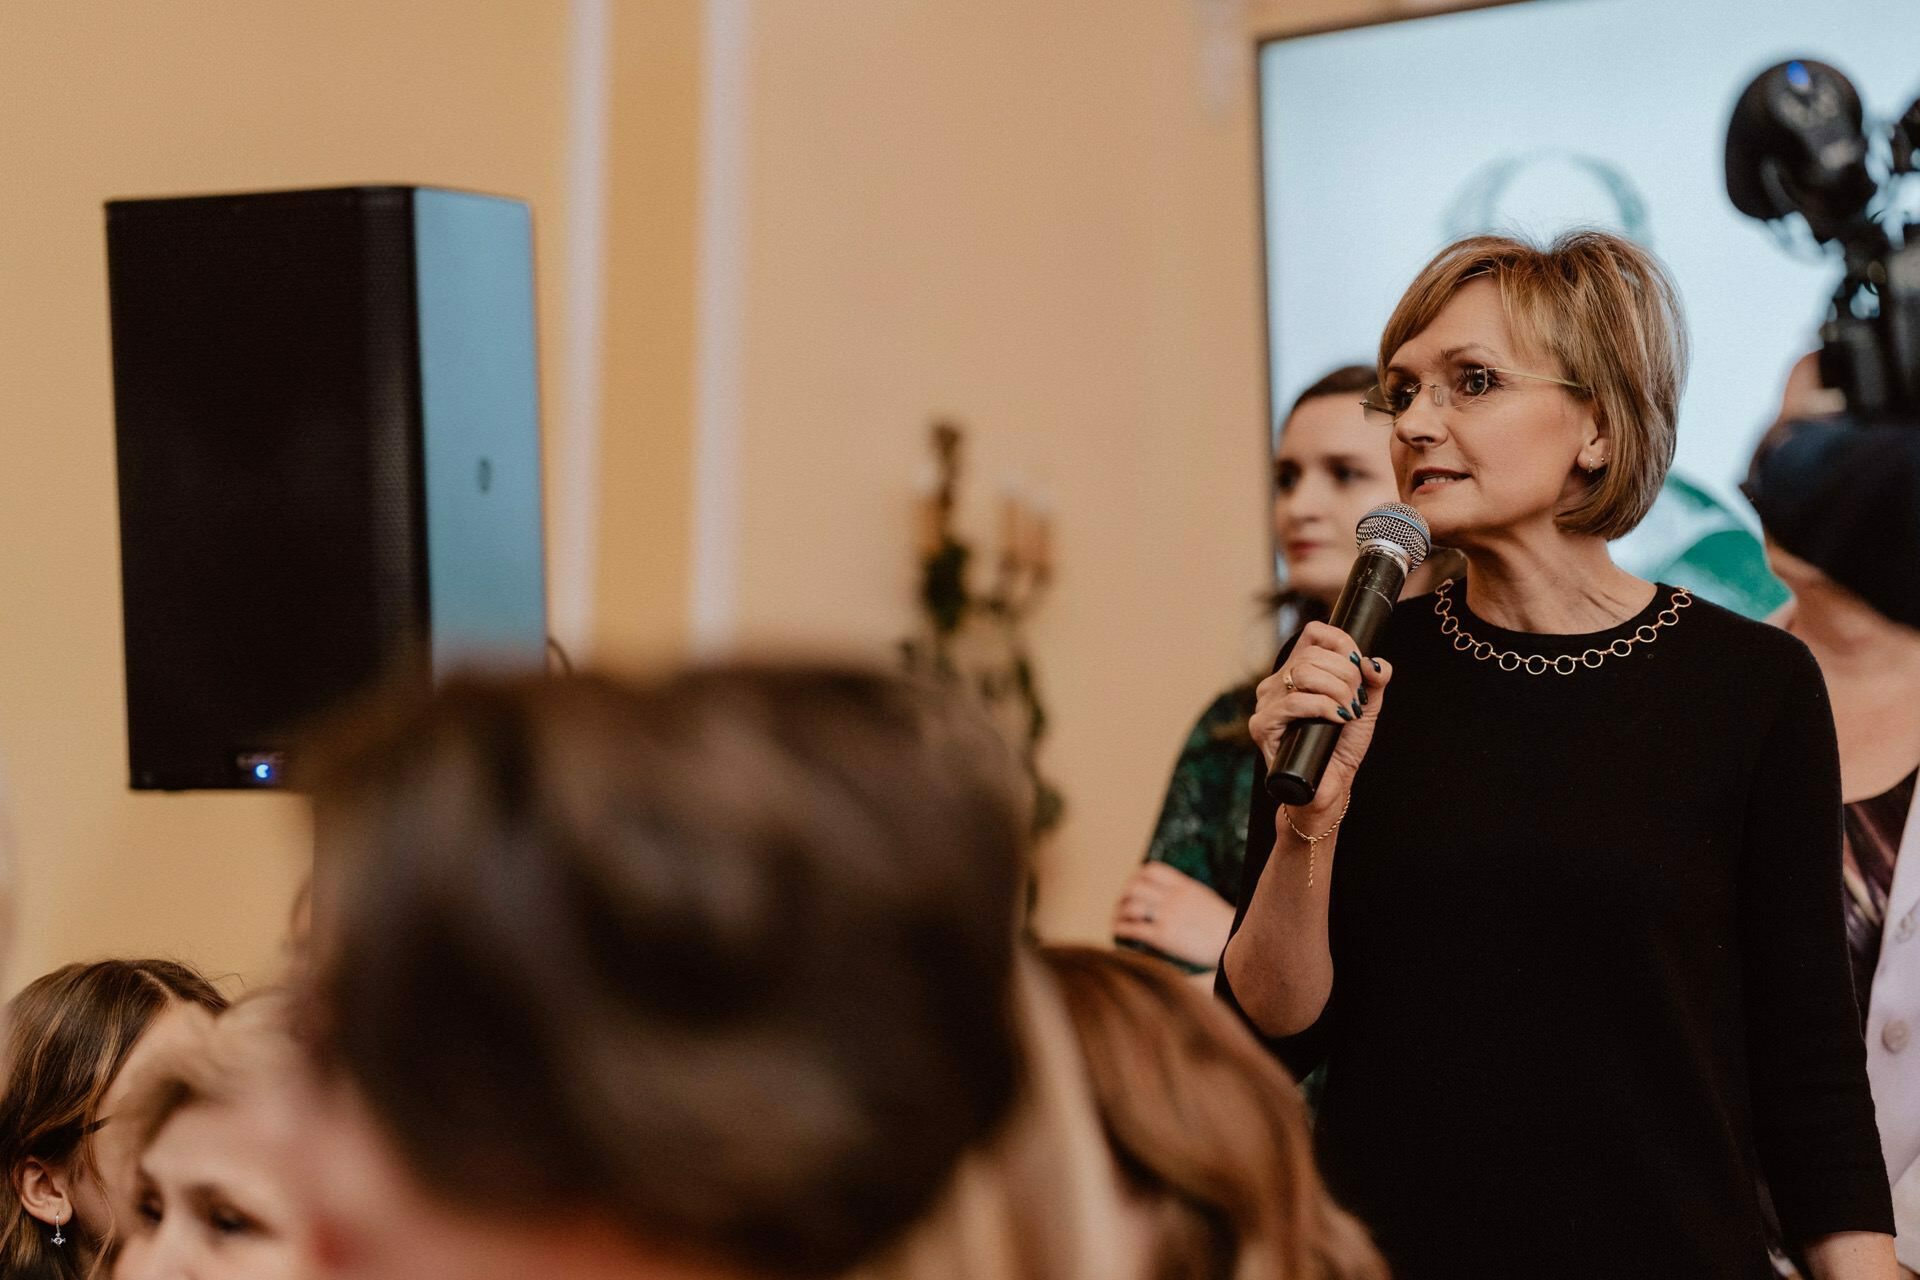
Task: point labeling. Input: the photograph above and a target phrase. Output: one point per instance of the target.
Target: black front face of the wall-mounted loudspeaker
(270, 479)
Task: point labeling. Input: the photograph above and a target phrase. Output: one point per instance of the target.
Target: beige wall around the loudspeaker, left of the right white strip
(229, 95)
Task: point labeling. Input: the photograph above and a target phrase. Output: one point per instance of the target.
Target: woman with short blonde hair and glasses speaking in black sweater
(1564, 916)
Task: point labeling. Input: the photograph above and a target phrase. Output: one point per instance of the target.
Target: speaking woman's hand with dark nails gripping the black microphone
(1314, 719)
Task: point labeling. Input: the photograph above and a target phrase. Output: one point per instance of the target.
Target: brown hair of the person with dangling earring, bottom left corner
(70, 1035)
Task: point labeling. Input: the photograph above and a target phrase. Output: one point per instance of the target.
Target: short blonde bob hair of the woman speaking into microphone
(1610, 316)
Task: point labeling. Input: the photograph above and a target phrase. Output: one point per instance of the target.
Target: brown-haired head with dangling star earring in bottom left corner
(76, 1041)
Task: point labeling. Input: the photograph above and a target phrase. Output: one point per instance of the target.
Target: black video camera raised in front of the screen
(1798, 145)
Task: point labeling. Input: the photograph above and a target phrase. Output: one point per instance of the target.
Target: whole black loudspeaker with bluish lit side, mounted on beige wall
(329, 460)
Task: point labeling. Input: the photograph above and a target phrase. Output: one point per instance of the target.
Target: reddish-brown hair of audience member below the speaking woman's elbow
(1207, 1127)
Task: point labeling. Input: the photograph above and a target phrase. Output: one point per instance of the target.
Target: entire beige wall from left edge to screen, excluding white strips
(1038, 218)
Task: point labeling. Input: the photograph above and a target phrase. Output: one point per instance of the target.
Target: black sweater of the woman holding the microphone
(1591, 972)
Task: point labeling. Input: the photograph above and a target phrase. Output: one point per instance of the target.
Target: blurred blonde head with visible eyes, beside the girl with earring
(222, 1129)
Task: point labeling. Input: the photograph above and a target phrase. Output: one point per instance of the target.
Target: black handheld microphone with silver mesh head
(1393, 542)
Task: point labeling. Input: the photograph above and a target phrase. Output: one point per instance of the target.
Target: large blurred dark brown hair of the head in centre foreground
(721, 959)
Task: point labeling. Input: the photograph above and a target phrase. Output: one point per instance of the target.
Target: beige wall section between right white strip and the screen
(1042, 220)
